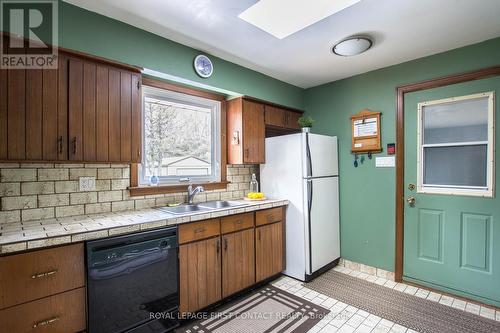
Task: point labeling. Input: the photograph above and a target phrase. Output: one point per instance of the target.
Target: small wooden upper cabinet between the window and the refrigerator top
(246, 132)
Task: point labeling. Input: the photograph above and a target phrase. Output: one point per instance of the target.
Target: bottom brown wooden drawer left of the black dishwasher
(63, 313)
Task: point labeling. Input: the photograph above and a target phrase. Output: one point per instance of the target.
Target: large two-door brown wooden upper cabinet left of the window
(86, 110)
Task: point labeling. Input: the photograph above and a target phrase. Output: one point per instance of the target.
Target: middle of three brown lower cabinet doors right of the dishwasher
(238, 261)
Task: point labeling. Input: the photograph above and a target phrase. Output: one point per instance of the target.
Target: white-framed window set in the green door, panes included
(455, 145)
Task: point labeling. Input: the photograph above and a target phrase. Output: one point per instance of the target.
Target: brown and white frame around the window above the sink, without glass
(176, 93)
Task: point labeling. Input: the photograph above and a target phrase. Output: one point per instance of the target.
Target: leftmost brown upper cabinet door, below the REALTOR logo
(30, 111)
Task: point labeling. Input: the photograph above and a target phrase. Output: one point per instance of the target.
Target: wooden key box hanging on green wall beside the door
(366, 132)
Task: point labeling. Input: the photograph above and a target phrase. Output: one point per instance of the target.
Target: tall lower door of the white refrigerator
(322, 222)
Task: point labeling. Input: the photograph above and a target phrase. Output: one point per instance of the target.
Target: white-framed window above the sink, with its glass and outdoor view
(181, 138)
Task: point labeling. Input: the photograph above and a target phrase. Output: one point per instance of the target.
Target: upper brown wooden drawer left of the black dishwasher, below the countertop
(28, 276)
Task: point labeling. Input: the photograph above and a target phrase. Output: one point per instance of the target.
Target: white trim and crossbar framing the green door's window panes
(487, 191)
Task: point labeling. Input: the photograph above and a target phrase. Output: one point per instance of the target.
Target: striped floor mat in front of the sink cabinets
(265, 310)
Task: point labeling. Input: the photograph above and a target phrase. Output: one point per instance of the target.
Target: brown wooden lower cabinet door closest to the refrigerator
(269, 250)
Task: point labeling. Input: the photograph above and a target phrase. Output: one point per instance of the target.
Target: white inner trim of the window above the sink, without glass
(216, 135)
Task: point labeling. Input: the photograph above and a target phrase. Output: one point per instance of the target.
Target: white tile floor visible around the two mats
(346, 318)
